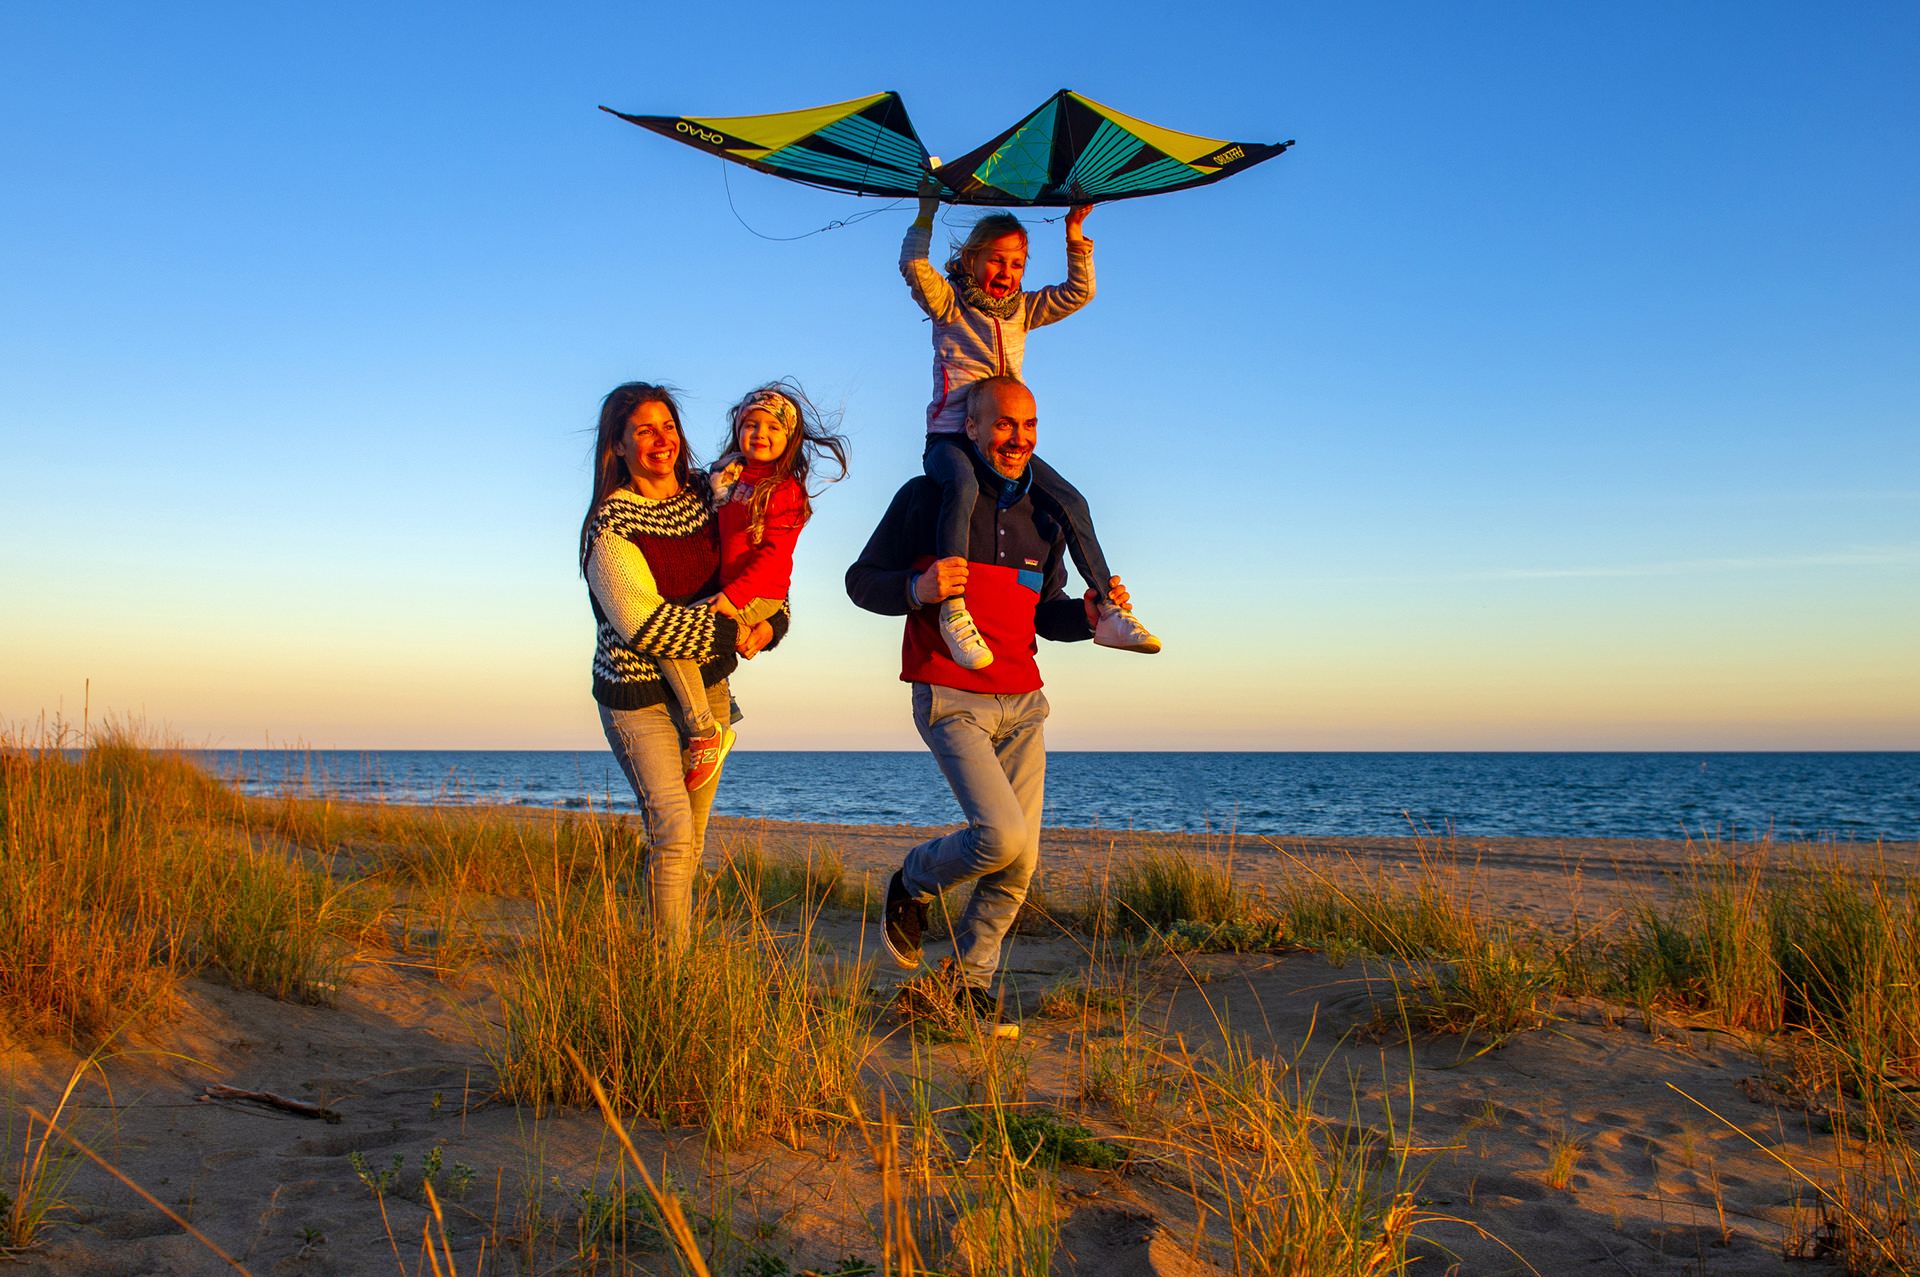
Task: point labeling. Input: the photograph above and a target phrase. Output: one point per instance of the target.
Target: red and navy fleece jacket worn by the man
(1015, 585)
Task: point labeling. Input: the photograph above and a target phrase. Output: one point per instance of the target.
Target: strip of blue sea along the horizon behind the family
(1643, 796)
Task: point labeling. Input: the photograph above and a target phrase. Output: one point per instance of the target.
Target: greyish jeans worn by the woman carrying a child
(648, 742)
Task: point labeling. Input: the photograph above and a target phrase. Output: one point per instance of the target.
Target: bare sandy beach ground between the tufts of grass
(1610, 1140)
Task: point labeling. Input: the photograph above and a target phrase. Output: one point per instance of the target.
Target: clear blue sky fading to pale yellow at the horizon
(1556, 391)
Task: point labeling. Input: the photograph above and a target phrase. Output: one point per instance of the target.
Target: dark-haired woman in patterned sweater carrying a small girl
(650, 548)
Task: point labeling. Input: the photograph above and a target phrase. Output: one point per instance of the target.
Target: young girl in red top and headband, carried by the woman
(761, 504)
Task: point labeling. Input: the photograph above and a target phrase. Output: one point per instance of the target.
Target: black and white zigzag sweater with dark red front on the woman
(648, 560)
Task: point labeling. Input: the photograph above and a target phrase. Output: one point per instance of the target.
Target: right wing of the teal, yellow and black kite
(1074, 151)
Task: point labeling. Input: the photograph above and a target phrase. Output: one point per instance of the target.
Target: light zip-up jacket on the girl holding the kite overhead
(969, 345)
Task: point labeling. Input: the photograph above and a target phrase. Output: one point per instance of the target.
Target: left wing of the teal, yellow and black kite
(865, 147)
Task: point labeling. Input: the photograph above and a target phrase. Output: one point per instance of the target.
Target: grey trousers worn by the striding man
(994, 754)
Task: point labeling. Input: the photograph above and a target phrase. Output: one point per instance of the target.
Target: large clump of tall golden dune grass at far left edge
(124, 869)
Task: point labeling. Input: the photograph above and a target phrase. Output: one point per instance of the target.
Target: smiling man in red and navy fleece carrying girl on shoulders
(984, 727)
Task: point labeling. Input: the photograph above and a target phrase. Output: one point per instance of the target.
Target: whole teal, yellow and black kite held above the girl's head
(1068, 151)
